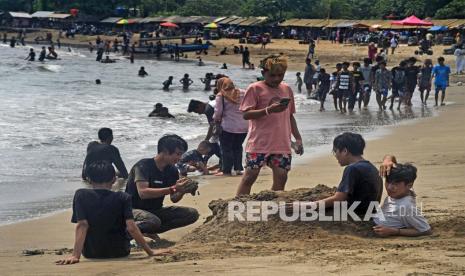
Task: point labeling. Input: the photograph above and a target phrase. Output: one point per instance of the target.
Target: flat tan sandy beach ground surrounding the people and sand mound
(434, 145)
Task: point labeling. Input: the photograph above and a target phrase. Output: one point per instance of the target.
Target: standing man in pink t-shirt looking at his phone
(269, 107)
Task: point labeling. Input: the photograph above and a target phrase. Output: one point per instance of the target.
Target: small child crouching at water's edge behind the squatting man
(194, 160)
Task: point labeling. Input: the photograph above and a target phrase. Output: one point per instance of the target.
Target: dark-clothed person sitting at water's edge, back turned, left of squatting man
(103, 150)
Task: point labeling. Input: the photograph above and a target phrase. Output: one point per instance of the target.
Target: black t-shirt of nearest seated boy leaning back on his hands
(106, 213)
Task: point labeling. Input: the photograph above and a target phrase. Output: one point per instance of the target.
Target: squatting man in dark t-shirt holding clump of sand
(150, 180)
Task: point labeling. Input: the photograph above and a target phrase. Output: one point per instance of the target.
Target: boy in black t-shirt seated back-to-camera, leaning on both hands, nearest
(102, 218)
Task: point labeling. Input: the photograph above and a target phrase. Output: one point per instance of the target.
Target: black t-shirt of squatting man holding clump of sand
(146, 170)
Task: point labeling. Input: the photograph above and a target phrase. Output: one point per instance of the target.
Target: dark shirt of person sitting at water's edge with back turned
(98, 152)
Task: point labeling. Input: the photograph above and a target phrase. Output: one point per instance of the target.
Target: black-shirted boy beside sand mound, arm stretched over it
(361, 183)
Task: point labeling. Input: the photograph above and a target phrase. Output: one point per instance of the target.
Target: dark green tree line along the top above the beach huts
(275, 9)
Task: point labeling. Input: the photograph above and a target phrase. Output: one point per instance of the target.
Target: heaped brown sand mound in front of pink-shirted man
(218, 228)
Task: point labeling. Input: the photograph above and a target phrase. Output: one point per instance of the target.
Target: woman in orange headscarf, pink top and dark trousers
(234, 127)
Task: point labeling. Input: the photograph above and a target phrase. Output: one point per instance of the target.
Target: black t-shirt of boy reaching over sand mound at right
(361, 182)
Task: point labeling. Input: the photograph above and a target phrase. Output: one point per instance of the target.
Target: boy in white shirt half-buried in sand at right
(400, 215)
